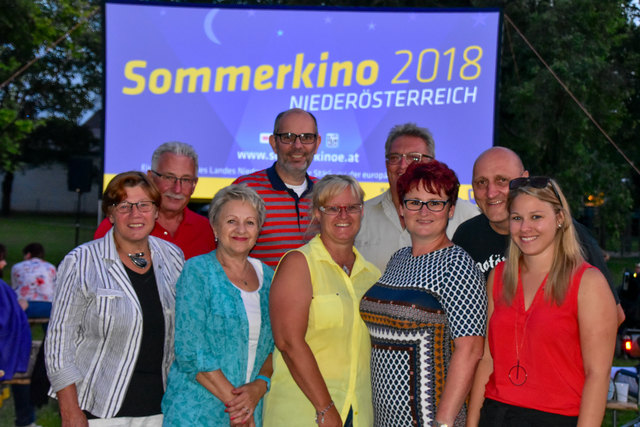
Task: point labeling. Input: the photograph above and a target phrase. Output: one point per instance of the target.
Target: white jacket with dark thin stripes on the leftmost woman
(94, 336)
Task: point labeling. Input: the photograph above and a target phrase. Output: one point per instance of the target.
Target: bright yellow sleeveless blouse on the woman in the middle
(339, 340)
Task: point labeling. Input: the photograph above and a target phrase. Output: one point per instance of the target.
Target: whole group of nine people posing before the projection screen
(376, 314)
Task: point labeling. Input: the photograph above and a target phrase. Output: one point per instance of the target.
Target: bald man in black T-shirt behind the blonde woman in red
(486, 237)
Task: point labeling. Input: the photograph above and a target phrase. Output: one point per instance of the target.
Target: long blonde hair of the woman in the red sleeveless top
(567, 252)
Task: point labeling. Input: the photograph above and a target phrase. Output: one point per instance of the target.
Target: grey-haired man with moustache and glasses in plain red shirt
(174, 170)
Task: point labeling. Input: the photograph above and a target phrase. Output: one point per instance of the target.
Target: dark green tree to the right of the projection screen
(583, 43)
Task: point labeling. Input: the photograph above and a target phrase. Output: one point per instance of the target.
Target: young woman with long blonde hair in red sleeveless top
(552, 322)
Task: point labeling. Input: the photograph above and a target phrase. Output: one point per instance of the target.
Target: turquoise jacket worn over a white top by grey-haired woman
(212, 332)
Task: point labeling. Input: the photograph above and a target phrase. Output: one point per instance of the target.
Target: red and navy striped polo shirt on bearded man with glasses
(287, 215)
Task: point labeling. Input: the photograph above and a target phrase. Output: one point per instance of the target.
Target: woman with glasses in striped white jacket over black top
(110, 339)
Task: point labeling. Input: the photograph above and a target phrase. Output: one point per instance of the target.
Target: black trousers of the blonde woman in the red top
(498, 414)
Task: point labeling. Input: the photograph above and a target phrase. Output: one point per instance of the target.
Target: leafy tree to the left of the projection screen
(38, 83)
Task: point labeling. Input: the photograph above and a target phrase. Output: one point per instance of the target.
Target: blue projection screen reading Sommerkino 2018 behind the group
(217, 77)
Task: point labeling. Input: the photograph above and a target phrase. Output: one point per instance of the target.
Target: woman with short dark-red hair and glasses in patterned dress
(426, 315)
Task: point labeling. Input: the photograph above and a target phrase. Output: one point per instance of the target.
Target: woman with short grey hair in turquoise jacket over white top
(223, 340)
